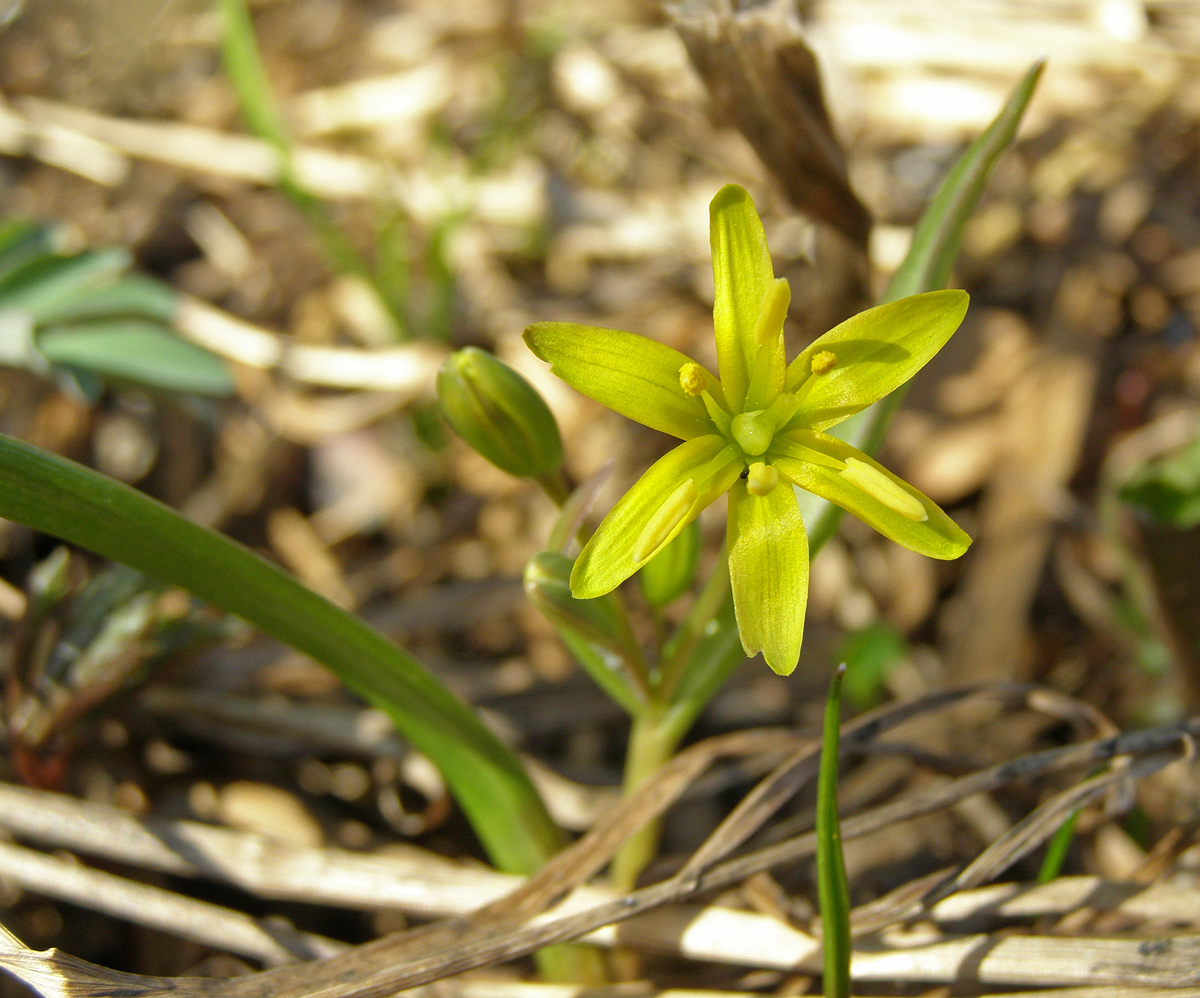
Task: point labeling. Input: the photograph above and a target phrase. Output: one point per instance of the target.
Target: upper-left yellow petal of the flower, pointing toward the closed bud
(632, 375)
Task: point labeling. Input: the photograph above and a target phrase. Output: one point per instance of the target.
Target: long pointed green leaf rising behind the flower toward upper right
(935, 244)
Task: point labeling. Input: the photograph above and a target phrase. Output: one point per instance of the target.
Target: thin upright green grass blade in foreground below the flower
(833, 891)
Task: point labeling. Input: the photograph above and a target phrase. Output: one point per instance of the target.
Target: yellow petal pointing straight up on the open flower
(742, 272)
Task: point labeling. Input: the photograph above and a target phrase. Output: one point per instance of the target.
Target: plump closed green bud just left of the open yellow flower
(500, 414)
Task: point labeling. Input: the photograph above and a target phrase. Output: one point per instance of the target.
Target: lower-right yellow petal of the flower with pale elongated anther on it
(817, 462)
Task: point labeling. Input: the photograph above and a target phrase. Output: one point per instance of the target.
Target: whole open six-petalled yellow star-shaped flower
(758, 426)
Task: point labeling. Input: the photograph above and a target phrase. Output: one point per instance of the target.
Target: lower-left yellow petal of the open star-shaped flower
(608, 560)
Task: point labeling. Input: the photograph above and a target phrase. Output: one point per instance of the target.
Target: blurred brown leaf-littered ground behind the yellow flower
(488, 164)
